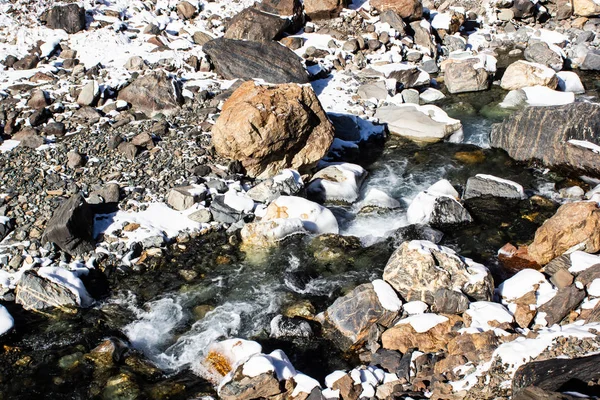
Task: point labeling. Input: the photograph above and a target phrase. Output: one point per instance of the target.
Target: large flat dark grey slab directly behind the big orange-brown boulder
(269, 61)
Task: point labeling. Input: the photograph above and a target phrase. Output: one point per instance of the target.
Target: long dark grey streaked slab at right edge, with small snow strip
(557, 136)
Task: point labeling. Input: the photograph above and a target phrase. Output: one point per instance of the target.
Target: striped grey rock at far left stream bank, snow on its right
(36, 293)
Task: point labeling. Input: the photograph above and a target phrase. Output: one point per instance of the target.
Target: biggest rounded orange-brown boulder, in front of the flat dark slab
(272, 127)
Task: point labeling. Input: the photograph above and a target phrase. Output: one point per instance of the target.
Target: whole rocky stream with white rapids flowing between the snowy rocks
(172, 320)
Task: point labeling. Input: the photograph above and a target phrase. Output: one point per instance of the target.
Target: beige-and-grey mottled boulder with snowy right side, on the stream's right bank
(417, 269)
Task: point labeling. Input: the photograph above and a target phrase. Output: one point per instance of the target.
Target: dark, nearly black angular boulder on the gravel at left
(71, 226)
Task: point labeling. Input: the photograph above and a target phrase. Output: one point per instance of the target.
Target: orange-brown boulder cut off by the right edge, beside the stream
(573, 224)
